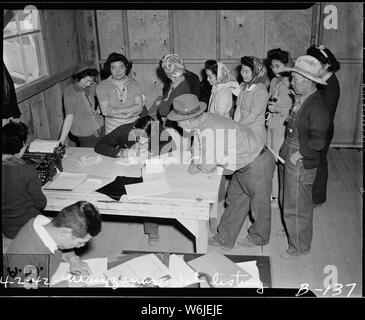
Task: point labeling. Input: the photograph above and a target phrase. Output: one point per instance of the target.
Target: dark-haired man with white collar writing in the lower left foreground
(55, 239)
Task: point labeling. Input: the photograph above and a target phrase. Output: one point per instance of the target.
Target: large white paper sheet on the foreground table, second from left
(143, 270)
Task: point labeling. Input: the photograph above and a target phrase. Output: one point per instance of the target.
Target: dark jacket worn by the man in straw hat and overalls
(312, 129)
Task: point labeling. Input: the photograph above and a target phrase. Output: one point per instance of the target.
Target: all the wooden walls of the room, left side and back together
(145, 36)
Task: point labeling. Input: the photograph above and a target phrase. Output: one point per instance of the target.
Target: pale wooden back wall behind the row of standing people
(227, 35)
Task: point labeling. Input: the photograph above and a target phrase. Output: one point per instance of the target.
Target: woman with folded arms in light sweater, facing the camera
(120, 97)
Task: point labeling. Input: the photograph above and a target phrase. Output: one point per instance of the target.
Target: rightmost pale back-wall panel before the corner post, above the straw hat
(289, 30)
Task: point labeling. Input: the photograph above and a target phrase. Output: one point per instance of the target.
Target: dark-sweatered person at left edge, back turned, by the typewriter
(22, 196)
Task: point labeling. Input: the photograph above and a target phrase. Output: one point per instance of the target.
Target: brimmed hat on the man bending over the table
(186, 106)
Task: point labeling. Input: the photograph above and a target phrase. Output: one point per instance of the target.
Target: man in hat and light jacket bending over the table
(220, 141)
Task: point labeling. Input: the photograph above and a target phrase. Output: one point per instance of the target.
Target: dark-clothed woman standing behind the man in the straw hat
(330, 95)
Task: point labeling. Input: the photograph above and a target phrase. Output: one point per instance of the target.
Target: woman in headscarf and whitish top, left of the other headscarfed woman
(222, 81)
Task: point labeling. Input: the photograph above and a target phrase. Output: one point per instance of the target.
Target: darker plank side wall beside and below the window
(68, 39)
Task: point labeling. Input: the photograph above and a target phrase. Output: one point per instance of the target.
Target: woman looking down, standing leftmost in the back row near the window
(83, 119)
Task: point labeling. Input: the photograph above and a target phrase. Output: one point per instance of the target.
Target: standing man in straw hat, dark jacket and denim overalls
(305, 137)
